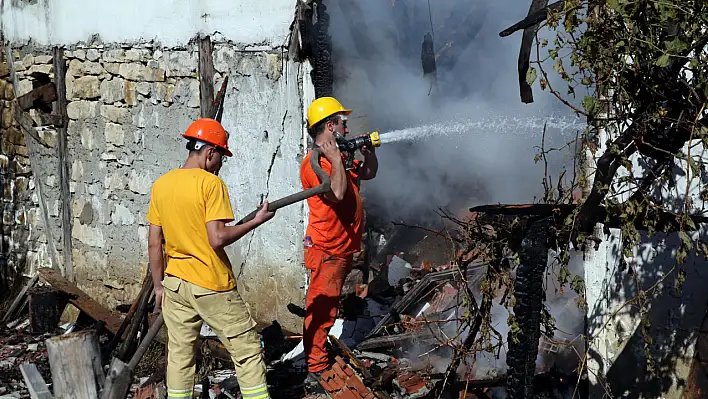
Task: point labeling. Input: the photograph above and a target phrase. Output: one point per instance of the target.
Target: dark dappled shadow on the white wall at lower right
(673, 318)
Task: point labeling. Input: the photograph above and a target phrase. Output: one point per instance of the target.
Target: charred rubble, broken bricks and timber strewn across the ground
(398, 322)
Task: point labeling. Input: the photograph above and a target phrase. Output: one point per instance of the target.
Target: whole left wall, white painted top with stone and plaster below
(130, 98)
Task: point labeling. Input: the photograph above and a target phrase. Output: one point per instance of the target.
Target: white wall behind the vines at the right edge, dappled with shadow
(617, 350)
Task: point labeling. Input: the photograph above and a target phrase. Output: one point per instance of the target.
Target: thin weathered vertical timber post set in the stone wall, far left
(59, 109)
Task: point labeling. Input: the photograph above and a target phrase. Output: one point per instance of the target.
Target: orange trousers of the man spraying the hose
(326, 281)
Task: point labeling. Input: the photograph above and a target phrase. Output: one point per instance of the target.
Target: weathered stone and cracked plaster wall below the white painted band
(128, 105)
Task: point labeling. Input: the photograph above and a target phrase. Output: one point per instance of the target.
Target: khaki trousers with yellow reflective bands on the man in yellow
(184, 306)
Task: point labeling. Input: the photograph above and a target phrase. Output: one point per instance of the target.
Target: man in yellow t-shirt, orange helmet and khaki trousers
(189, 208)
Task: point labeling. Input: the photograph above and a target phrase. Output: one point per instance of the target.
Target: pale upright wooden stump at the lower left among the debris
(75, 363)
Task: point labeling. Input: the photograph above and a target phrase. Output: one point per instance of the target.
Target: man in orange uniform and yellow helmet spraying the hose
(334, 229)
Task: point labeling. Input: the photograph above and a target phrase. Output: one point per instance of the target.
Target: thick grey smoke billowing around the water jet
(378, 73)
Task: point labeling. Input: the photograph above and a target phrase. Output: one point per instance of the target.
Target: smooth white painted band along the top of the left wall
(171, 22)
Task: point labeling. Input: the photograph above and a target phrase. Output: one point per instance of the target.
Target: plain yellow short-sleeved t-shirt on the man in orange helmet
(182, 202)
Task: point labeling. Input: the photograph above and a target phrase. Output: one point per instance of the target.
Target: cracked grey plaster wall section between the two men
(263, 111)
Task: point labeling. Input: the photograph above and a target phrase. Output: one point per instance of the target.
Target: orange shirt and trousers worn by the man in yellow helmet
(335, 230)
